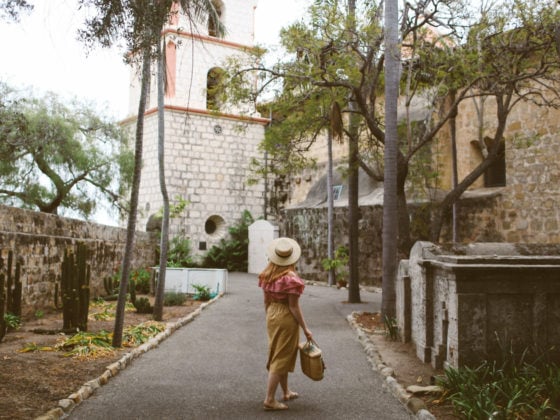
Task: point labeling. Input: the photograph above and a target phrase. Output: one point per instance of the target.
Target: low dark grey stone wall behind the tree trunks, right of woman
(477, 217)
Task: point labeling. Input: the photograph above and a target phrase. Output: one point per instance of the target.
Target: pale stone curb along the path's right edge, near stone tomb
(415, 405)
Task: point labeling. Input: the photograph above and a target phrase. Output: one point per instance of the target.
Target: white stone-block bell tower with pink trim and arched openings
(208, 146)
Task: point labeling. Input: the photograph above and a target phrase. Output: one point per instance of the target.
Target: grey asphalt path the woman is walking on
(214, 367)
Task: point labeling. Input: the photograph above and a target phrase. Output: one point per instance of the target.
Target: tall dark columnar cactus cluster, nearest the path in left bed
(74, 283)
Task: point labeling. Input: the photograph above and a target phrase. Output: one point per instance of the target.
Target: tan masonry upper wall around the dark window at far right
(528, 207)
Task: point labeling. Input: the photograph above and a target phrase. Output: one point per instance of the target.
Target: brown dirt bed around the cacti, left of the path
(34, 382)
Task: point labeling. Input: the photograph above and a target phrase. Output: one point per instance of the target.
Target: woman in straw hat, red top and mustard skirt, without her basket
(282, 288)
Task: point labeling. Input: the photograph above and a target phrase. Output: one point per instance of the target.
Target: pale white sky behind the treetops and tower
(41, 52)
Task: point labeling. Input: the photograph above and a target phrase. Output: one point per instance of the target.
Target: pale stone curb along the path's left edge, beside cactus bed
(66, 405)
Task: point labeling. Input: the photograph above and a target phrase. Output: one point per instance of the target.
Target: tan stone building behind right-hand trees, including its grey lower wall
(516, 201)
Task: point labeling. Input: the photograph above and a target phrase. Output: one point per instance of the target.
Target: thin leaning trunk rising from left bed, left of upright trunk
(131, 227)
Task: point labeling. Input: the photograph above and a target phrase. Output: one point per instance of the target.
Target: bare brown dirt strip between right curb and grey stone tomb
(401, 357)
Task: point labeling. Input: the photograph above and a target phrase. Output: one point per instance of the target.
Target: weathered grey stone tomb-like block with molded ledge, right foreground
(465, 304)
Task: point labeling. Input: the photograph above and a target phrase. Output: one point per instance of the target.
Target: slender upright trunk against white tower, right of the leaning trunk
(158, 304)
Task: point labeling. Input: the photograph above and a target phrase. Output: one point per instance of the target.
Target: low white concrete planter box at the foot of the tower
(181, 280)
